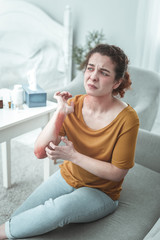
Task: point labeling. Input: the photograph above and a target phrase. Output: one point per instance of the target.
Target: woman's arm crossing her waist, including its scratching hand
(99, 168)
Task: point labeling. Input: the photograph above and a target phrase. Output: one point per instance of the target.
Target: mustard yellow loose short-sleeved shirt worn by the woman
(114, 143)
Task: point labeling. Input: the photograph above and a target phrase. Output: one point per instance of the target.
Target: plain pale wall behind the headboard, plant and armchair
(115, 17)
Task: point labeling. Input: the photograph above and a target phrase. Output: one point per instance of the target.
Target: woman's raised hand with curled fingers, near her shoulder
(62, 98)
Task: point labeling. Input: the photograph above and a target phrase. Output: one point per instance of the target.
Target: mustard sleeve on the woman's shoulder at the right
(124, 150)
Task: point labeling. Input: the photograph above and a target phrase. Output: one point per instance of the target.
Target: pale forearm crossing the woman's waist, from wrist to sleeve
(99, 168)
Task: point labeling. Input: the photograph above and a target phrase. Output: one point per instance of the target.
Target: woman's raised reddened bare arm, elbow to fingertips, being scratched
(50, 133)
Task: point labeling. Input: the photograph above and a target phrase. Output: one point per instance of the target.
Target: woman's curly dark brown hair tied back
(121, 61)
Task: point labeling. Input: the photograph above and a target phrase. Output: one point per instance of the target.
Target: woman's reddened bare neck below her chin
(98, 104)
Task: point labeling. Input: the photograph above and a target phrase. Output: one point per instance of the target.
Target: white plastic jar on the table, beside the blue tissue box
(18, 96)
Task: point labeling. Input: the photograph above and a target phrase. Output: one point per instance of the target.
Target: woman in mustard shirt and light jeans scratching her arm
(101, 133)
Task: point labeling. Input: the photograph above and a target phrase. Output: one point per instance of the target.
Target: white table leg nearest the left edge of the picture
(6, 163)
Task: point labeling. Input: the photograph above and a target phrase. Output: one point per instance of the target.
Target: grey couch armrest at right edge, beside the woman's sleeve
(148, 150)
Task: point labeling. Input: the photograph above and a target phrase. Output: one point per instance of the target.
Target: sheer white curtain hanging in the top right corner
(148, 35)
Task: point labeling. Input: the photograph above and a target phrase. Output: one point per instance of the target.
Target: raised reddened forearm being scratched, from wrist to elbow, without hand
(49, 134)
